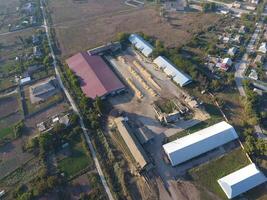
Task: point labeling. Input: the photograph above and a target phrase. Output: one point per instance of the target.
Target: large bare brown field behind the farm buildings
(90, 26)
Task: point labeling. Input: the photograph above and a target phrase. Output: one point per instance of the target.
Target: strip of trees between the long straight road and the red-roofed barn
(92, 110)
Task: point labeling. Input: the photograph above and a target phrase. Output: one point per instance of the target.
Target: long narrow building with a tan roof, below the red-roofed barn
(131, 141)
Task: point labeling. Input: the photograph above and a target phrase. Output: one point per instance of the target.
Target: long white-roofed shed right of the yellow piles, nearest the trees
(178, 76)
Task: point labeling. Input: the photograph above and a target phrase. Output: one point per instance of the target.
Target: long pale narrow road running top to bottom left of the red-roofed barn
(74, 107)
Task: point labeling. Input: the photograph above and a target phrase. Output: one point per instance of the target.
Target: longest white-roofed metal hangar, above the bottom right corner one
(195, 144)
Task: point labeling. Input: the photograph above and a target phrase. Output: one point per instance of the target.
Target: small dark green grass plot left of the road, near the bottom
(77, 161)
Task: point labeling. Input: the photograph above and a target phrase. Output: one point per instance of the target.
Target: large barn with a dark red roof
(96, 78)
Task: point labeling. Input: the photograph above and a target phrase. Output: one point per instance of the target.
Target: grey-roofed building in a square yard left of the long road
(42, 91)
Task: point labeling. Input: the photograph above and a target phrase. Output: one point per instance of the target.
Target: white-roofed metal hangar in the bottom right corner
(241, 181)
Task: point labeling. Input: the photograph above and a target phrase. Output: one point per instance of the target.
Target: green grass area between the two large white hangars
(207, 175)
